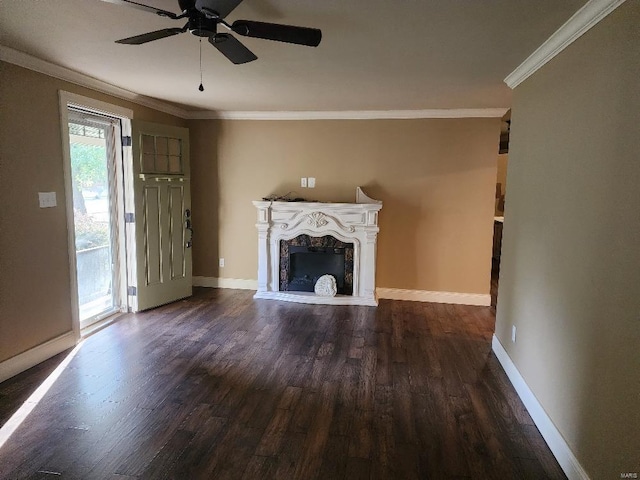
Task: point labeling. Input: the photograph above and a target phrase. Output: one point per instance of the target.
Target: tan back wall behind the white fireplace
(435, 177)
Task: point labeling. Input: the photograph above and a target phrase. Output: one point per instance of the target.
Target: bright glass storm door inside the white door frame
(94, 156)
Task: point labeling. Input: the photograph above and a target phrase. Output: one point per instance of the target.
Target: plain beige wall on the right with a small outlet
(570, 272)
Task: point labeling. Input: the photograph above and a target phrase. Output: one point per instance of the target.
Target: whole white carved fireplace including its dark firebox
(300, 241)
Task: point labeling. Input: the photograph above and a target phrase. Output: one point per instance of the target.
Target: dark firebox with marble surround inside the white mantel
(304, 259)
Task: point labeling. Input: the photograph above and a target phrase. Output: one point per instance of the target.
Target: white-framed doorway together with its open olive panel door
(128, 203)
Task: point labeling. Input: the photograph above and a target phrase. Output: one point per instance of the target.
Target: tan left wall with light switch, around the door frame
(34, 263)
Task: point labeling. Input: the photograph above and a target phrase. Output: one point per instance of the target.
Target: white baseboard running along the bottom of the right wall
(565, 457)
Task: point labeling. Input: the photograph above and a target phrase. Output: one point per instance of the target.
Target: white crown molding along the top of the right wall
(585, 18)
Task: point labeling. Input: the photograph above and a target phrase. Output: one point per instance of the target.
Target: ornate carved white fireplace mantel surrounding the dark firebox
(355, 223)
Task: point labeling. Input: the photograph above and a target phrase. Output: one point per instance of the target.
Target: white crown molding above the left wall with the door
(30, 62)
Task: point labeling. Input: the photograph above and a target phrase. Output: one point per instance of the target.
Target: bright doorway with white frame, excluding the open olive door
(93, 134)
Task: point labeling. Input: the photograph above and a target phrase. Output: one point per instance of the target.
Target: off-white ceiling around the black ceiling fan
(374, 55)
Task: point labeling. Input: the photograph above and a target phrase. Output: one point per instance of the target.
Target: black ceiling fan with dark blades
(203, 18)
